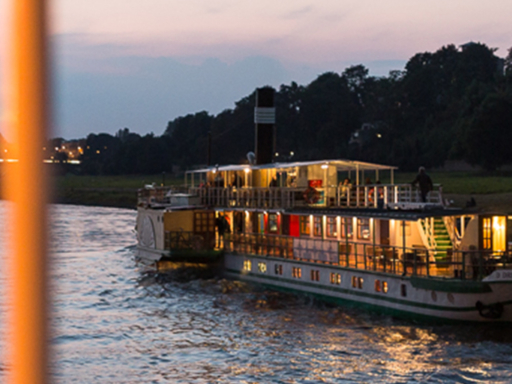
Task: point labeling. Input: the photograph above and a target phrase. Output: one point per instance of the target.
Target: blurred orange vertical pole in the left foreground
(26, 187)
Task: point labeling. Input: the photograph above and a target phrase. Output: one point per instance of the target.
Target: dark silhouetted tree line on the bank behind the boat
(455, 103)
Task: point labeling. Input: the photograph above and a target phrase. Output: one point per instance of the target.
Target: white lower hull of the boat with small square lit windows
(405, 296)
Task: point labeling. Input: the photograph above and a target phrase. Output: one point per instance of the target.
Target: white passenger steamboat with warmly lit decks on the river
(371, 245)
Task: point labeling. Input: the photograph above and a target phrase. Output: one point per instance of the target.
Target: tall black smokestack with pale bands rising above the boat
(264, 118)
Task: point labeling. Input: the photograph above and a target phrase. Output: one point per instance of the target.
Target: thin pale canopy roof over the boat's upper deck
(341, 165)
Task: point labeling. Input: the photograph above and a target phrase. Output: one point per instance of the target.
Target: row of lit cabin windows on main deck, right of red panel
(331, 227)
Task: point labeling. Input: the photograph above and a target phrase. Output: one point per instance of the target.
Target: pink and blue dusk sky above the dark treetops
(139, 64)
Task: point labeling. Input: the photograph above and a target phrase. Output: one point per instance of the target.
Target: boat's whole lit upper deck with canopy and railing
(325, 183)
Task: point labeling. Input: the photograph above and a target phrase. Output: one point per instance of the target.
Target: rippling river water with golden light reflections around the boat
(115, 321)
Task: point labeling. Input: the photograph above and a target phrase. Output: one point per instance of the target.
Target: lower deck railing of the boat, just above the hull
(471, 265)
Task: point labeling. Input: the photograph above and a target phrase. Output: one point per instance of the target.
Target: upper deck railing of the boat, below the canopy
(364, 196)
